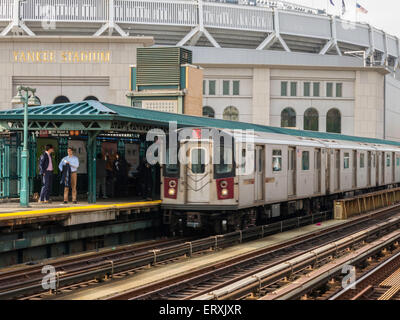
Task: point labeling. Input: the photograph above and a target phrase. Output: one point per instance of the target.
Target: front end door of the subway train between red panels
(198, 174)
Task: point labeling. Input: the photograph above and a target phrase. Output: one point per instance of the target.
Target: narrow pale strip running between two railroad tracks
(161, 272)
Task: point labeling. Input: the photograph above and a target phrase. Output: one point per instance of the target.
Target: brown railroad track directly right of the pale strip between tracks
(203, 283)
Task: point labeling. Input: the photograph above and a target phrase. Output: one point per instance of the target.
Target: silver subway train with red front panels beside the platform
(261, 176)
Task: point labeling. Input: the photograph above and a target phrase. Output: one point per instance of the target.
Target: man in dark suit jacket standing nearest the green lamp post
(46, 171)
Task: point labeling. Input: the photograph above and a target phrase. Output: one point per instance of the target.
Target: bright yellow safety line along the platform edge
(67, 209)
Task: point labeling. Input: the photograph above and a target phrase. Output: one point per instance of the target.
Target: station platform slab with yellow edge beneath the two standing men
(13, 214)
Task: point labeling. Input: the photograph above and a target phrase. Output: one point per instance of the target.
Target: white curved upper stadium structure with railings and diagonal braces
(243, 24)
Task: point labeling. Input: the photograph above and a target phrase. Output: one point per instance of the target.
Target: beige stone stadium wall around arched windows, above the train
(260, 101)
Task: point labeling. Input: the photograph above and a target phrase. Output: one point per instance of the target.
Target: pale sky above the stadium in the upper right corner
(382, 14)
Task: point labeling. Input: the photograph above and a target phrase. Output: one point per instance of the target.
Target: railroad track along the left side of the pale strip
(74, 272)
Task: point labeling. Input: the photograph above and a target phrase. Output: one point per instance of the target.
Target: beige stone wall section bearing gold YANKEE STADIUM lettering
(65, 68)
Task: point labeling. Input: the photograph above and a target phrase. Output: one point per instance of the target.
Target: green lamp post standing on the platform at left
(26, 100)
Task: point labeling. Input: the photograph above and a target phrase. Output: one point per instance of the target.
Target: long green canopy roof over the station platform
(101, 111)
